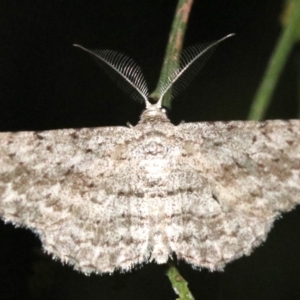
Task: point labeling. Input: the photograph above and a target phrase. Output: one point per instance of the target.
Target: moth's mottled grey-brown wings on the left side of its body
(54, 182)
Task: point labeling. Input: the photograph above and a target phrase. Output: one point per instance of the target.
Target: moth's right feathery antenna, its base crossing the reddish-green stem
(192, 60)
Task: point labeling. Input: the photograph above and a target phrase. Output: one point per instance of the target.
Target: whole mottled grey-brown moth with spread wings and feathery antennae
(106, 199)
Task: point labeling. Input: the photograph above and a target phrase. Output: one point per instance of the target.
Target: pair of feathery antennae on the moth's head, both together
(130, 78)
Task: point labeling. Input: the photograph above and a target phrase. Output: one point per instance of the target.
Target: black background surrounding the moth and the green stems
(45, 83)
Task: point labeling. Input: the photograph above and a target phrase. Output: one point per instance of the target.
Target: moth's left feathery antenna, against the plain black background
(123, 70)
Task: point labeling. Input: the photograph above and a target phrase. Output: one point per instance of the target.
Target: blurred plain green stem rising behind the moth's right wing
(276, 63)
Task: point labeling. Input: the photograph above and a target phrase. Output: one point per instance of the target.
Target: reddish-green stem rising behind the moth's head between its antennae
(173, 50)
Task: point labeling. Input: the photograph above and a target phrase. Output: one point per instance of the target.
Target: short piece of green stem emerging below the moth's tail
(179, 284)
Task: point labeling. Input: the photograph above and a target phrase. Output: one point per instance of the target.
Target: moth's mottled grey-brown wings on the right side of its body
(252, 173)
